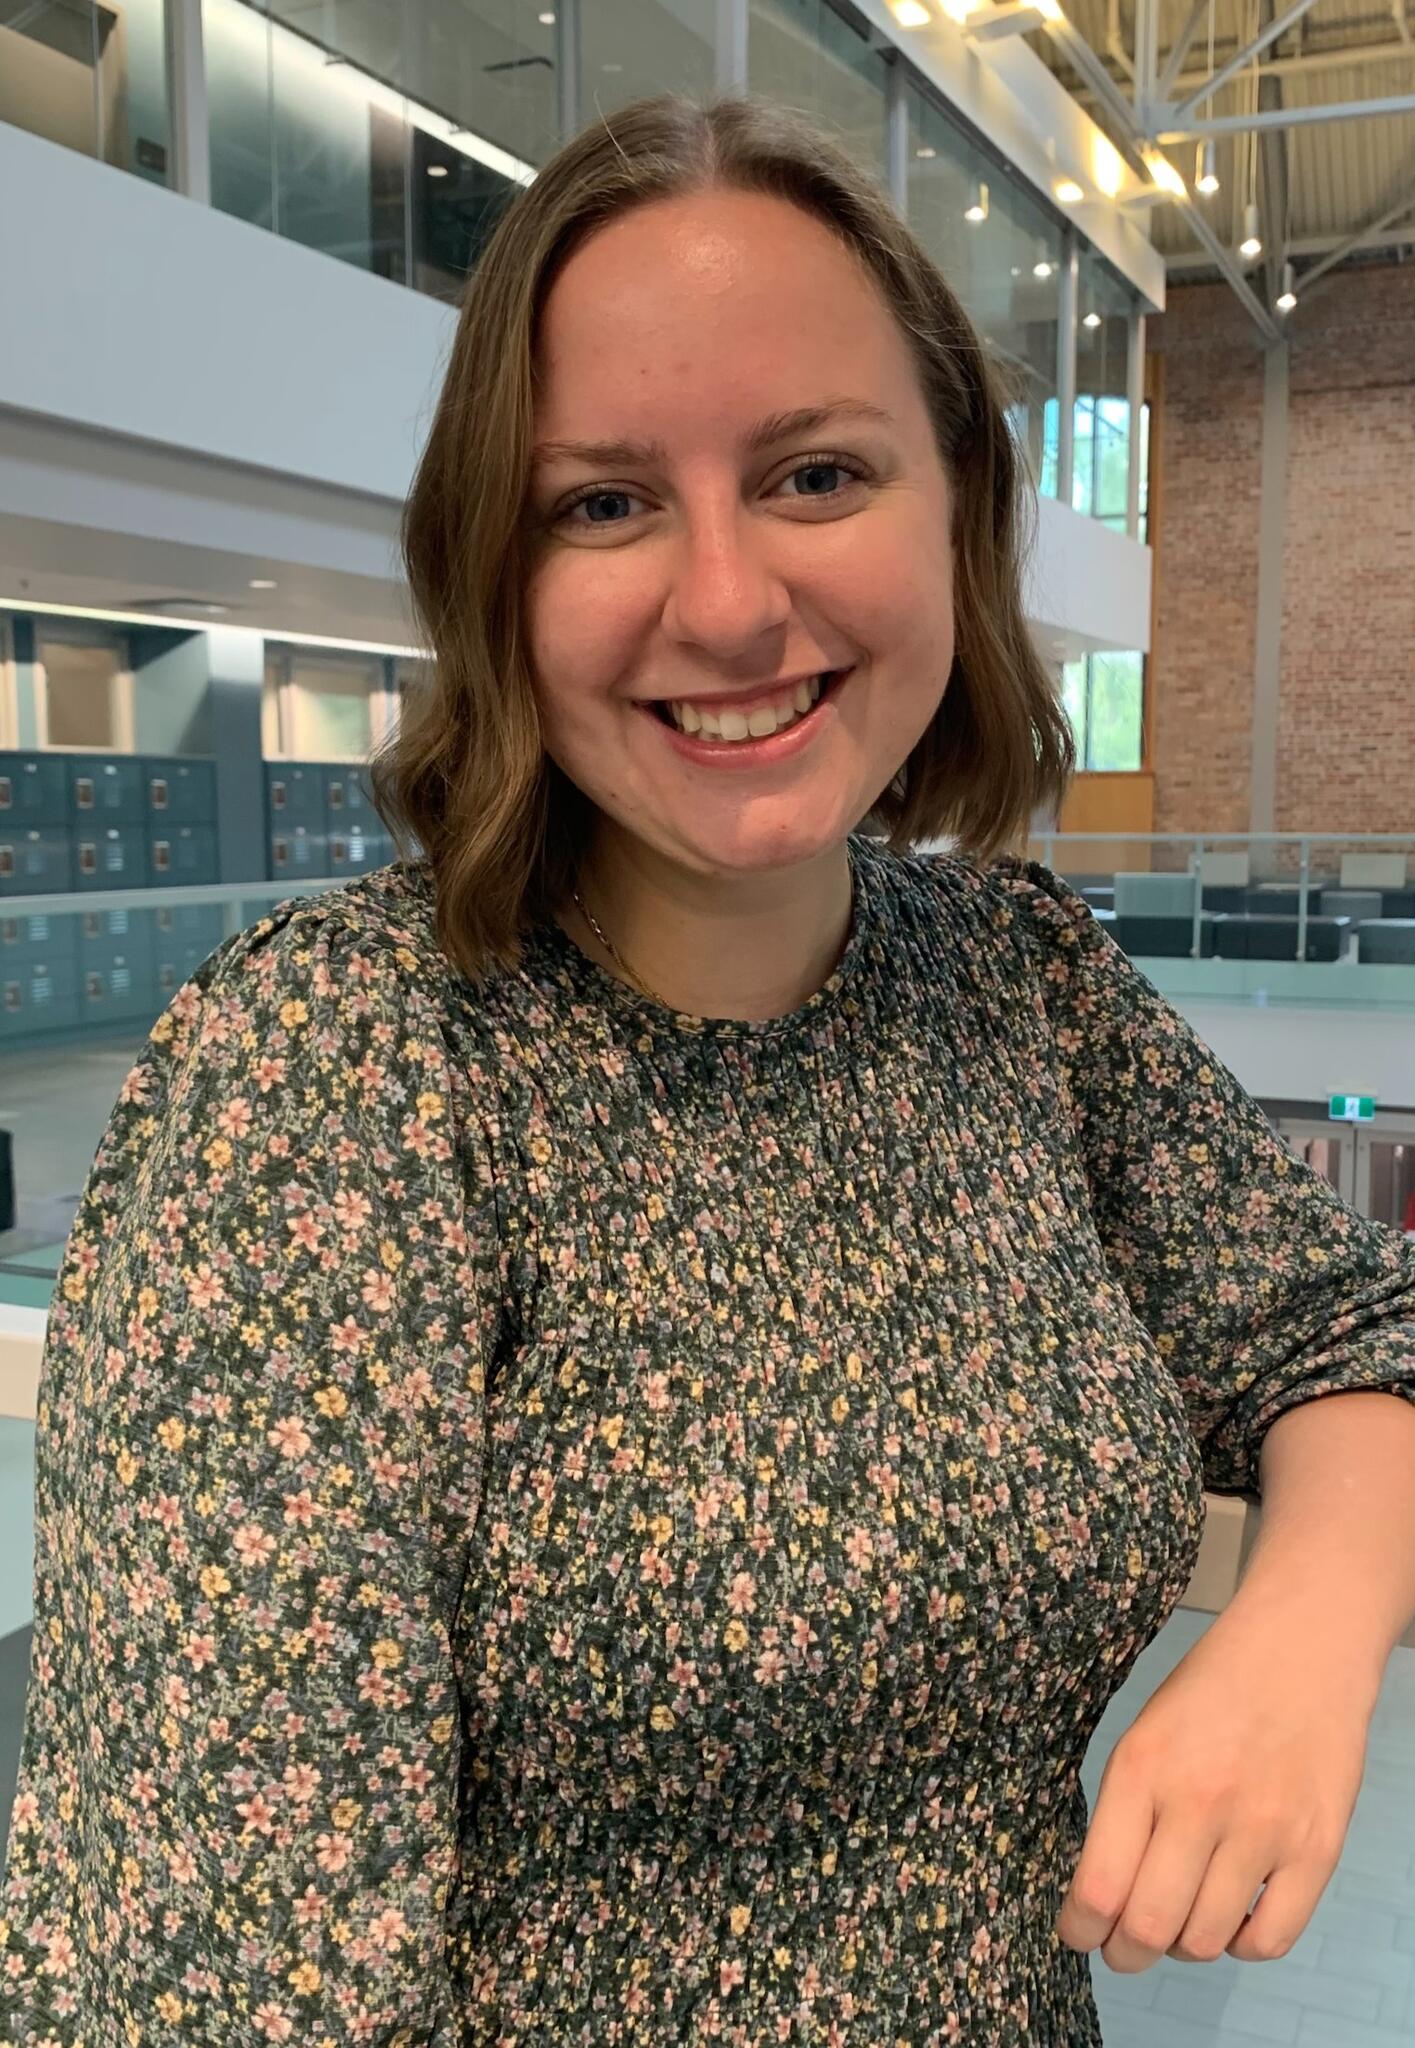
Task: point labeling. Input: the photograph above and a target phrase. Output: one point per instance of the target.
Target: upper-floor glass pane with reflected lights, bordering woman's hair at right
(1002, 255)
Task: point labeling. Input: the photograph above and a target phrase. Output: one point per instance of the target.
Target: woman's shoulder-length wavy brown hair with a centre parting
(466, 777)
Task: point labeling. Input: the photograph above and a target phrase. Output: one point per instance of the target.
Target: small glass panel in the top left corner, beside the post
(89, 77)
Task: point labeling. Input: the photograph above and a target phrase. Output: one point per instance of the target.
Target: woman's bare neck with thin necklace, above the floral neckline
(753, 949)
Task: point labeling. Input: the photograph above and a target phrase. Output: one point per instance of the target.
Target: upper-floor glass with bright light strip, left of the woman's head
(390, 136)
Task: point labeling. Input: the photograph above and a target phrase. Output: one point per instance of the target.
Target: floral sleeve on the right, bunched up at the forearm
(1260, 1287)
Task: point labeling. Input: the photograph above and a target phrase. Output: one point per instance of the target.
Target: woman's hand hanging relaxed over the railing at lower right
(1240, 1773)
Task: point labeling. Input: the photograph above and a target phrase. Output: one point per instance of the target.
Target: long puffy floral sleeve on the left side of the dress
(259, 1463)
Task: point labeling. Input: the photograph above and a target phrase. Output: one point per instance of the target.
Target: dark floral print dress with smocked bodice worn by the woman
(564, 1523)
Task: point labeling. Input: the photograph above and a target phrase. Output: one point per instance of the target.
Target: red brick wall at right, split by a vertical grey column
(1346, 718)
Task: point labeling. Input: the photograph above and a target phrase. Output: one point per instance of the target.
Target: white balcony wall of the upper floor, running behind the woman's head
(187, 400)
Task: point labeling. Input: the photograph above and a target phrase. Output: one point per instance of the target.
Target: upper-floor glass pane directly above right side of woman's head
(802, 52)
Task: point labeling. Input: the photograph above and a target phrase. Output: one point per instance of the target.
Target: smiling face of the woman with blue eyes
(705, 564)
